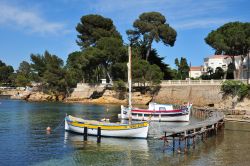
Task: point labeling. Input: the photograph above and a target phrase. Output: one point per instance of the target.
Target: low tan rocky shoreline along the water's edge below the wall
(234, 110)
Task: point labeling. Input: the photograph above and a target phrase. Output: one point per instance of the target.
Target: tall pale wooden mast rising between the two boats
(129, 78)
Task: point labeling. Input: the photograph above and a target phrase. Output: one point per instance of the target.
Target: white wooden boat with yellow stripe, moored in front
(134, 130)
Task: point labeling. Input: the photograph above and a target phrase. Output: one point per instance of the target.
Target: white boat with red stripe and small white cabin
(158, 112)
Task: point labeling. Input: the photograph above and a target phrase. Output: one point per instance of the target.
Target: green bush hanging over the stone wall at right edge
(235, 88)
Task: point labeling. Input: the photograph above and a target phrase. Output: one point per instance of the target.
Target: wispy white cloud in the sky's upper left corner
(28, 20)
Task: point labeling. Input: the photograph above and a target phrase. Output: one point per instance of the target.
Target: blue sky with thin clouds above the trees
(33, 26)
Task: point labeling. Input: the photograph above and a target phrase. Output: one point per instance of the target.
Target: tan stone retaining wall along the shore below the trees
(199, 95)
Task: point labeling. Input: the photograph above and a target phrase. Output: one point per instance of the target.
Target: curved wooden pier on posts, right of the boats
(186, 134)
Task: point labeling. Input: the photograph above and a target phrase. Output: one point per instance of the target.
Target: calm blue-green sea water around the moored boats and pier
(24, 140)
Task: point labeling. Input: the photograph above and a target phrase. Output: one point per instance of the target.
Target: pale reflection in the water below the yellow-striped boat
(111, 151)
